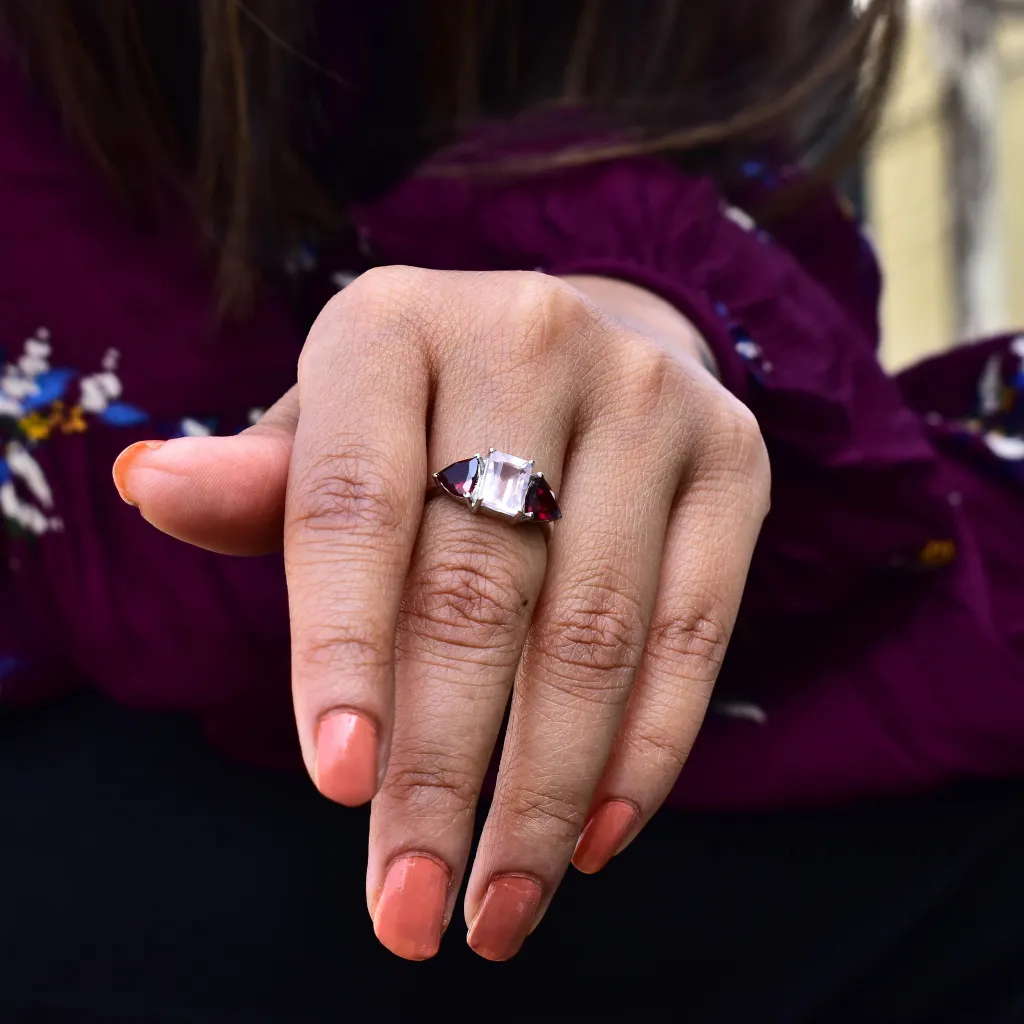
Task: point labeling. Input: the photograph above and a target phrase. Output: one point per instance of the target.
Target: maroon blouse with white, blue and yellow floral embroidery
(881, 645)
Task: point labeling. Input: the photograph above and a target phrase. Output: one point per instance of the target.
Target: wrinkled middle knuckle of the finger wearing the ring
(473, 600)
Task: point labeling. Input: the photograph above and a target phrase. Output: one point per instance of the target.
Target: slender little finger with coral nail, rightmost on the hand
(707, 558)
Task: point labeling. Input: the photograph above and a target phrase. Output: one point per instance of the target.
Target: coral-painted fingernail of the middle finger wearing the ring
(411, 910)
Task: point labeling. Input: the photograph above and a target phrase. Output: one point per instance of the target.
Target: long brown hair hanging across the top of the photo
(221, 102)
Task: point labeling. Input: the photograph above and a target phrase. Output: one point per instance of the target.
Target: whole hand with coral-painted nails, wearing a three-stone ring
(413, 622)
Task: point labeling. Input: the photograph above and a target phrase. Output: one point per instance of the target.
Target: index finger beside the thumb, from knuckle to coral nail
(356, 496)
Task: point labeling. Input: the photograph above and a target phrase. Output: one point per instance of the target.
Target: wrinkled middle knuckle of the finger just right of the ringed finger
(592, 645)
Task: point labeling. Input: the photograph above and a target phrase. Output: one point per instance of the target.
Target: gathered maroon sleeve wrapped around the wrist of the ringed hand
(857, 490)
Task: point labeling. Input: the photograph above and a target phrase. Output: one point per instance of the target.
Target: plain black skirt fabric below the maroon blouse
(145, 881)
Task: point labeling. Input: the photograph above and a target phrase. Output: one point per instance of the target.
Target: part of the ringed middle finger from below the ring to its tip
(463, 624)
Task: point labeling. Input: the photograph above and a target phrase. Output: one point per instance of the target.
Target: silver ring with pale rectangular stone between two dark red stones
(501, 485)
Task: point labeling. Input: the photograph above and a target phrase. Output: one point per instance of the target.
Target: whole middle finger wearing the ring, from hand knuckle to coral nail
(471, 593)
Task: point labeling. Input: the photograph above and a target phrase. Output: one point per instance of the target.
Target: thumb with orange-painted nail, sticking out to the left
(224, 494)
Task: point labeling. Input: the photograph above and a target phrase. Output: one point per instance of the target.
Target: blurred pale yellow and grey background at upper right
(944, 189)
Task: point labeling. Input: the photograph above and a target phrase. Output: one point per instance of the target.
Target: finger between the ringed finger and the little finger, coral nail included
(579, 664)
